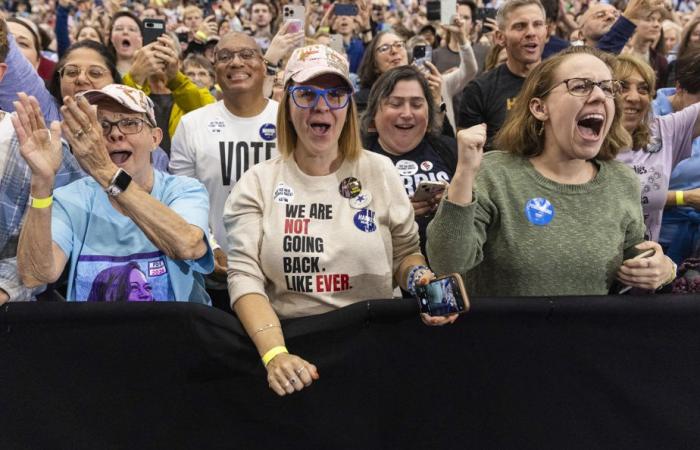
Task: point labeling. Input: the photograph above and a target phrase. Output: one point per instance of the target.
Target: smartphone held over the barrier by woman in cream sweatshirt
(443, 296)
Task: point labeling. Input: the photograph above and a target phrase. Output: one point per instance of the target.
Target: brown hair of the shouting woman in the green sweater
(521, 133)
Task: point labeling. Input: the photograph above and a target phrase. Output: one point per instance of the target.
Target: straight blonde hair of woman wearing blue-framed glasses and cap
(349, 143)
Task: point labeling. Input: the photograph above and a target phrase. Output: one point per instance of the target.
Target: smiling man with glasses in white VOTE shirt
(216, 144)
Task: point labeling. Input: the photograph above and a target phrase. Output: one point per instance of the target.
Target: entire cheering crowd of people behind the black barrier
(269, 162)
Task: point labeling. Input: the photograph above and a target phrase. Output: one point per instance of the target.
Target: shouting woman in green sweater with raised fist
(552, 214)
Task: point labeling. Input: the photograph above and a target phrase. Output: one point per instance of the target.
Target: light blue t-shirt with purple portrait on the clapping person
(111, 259)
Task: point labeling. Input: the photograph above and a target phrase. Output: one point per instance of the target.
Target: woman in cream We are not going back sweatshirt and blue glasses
(324, 225)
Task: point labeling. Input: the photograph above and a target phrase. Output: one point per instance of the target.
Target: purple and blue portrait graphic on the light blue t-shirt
(139, 277)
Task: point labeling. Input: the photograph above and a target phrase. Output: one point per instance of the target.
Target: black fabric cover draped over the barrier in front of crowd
(566, 373)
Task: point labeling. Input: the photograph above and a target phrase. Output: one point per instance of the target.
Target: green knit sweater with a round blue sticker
(526, 235)
